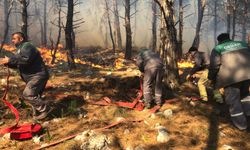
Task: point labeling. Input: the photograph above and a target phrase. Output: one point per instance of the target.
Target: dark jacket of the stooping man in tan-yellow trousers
(199, 62)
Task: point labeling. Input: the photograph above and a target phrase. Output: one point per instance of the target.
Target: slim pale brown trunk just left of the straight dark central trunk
(117, 25)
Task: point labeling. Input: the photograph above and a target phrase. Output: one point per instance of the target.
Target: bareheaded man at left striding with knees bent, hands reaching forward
(33, 72)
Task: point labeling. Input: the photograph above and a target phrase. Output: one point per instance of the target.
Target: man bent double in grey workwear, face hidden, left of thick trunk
(150, 64)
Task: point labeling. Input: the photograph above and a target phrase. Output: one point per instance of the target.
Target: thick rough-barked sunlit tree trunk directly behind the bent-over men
(168, 43)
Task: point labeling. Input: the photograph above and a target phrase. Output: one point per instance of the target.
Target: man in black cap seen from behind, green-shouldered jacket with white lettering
(230, 68)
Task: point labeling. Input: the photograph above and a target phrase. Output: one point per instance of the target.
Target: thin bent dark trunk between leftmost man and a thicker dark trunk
(59, 32)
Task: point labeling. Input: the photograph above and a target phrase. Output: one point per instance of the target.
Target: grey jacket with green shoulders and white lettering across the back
(229, 63)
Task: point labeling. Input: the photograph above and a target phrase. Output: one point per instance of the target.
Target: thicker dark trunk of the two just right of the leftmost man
(68, 35)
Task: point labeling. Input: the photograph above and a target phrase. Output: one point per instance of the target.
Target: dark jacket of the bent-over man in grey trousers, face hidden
(148, 59)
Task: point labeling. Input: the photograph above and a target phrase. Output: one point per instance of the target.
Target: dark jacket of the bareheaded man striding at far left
(29, 62)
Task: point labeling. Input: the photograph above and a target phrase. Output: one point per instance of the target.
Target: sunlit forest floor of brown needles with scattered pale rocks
(193, 125)
